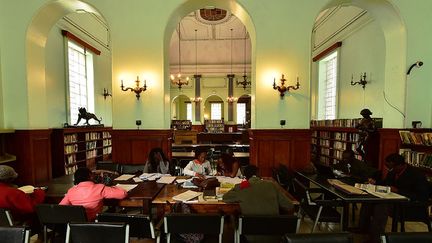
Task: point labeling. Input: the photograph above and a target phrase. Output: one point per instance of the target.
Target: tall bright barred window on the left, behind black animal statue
(80, 87)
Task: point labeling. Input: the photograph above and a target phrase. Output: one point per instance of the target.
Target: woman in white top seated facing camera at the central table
(199, 166)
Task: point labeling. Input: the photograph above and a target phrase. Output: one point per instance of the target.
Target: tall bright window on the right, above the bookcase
(322, 104)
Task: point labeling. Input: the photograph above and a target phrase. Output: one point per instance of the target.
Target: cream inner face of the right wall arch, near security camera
(393, 27)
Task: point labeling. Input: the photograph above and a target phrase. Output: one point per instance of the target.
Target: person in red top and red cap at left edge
(20, 204)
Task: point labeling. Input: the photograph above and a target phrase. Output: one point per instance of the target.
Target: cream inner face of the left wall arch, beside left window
(36, 38)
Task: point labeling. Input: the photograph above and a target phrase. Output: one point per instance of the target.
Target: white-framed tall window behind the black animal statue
(86, 98)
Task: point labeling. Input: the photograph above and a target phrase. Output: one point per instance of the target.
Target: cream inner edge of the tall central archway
(190, 6)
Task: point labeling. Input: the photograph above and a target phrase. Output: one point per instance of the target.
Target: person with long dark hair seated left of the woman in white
(157, 162)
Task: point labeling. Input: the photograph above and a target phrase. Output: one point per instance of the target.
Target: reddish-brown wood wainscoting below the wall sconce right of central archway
(270, 147)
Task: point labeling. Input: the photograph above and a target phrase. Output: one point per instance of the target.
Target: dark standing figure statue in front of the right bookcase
(366, 126)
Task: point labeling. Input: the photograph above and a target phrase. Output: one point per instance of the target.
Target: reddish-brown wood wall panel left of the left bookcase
(33, 151)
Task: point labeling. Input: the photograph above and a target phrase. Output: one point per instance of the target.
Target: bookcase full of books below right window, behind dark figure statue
(331, 137)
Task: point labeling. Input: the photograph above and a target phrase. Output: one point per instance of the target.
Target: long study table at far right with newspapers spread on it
(347, 198)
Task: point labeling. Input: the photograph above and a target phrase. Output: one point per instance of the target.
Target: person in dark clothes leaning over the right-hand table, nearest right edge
(404, 180)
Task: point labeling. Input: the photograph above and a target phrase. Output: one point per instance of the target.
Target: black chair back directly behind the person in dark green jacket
(274, 225)
